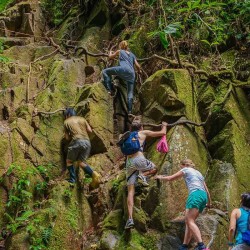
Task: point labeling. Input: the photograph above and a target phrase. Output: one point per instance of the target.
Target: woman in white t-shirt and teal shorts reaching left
(198, 199)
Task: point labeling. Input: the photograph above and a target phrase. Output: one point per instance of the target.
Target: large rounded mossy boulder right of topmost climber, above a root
(169, 93)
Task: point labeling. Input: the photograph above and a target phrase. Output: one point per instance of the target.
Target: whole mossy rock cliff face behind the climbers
(38, 208)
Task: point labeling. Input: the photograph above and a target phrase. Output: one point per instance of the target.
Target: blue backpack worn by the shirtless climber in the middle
(129, 143)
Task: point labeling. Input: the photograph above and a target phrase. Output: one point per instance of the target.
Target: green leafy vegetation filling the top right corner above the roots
(202, 22)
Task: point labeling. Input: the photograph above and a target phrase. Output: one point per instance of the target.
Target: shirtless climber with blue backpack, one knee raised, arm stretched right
(137, 166)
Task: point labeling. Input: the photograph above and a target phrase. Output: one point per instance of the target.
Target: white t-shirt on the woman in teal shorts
(194, 179)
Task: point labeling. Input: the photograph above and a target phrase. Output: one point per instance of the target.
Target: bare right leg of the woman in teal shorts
(190, 217)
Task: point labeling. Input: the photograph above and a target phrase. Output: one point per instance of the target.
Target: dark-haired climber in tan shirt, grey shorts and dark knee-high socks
(76, 130)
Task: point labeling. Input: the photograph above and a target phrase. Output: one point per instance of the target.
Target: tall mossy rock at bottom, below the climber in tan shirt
(73, 216)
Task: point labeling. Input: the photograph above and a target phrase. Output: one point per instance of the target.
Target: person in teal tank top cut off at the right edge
(240, 225)
